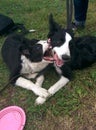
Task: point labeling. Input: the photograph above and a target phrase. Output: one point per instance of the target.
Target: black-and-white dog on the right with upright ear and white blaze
(69, 53)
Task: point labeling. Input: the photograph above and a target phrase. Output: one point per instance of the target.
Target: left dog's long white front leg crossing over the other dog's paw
(27, 84)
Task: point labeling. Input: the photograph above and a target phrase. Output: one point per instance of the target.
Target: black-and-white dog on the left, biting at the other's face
(25, 60)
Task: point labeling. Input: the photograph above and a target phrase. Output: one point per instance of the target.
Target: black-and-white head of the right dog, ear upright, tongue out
(59, 39)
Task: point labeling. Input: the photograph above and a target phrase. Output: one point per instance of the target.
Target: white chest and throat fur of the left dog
(30, 67)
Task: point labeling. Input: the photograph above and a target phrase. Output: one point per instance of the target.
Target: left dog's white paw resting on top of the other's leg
(41, 92)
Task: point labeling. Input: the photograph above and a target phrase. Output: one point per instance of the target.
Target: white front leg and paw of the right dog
(53, 89)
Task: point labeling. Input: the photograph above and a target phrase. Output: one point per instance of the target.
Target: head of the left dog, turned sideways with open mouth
(37, 50)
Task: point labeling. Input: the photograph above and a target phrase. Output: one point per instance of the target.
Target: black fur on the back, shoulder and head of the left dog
(15, 46)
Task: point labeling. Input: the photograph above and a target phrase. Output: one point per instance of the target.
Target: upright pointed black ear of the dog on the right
(53, 26)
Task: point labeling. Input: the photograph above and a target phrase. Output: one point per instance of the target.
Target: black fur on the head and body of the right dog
(82, 49)
